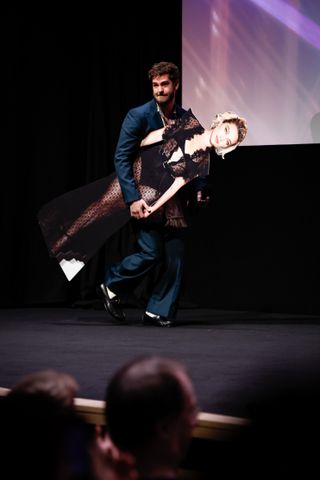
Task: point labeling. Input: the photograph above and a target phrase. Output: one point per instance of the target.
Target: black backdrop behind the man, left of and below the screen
(71, 75)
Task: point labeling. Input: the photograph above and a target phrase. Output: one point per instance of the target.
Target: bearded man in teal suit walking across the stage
(157, 241)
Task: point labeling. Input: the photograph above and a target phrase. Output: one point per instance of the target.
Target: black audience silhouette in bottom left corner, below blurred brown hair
(42, 438)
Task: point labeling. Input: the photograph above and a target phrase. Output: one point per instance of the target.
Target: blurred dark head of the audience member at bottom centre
(151, 411)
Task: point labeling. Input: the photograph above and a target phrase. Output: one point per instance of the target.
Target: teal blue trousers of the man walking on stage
(157, 245)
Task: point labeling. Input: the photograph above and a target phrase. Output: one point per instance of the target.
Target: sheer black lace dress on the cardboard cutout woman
(75, 225)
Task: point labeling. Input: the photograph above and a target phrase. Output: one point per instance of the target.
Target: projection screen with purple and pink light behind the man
(260, 58)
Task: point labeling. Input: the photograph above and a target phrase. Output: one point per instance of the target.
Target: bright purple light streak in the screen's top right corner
(293, 19)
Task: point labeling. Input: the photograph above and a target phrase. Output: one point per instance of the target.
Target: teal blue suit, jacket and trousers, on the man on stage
(158, 244)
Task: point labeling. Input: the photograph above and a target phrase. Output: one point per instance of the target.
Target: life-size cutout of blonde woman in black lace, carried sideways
(77, 223)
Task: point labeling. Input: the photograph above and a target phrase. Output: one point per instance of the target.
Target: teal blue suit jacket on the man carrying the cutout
(137, 124)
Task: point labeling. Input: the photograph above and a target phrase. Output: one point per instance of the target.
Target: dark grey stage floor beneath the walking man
(230, 354)
